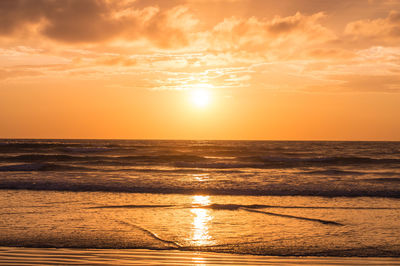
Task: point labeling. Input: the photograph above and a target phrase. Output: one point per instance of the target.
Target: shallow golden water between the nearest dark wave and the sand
(262, 225)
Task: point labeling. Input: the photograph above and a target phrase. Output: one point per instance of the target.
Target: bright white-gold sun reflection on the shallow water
(201, 221)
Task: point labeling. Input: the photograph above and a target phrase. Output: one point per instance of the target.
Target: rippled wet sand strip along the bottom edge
(53, 256)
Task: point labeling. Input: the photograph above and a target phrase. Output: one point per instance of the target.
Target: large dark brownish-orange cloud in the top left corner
(96, 21)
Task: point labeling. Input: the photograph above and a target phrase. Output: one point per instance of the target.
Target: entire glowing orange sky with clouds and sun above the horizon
(200, 69)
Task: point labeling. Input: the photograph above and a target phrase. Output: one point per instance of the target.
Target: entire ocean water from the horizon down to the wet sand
(277, 198)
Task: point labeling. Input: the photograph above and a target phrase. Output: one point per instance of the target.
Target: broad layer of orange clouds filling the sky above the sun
(169, 45)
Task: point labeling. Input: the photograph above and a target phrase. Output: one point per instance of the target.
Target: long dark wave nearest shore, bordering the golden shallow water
(124, 186)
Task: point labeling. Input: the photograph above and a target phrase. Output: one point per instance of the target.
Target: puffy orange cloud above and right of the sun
(289, 33)
